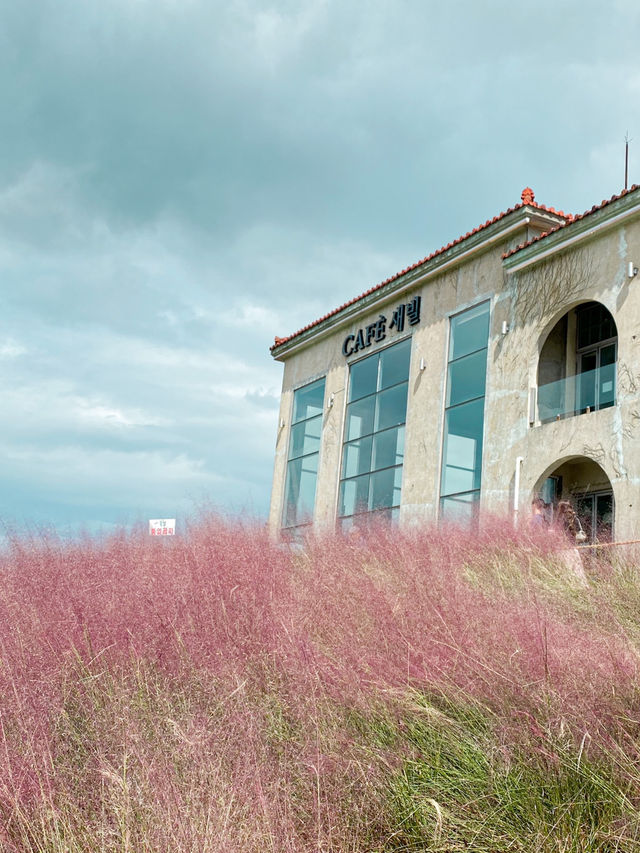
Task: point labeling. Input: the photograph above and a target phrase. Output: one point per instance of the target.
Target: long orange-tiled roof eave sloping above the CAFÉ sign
(457, 252)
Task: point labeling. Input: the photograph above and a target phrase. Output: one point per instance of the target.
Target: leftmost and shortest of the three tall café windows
(304, 451)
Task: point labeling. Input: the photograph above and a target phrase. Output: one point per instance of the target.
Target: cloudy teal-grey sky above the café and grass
(181, 180)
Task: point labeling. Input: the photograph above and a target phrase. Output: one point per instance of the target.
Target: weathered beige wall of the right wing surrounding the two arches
(537, 299)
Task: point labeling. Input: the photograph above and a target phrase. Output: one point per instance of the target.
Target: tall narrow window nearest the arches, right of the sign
(464, 413)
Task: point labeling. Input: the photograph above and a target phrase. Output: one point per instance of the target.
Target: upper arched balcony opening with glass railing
(577, 364)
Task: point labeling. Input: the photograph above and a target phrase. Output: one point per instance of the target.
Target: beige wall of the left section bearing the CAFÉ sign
(444, 295)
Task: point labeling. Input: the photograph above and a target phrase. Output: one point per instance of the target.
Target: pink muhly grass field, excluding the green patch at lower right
(206, 692)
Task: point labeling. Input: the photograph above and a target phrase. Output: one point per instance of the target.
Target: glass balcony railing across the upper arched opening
(576, 395)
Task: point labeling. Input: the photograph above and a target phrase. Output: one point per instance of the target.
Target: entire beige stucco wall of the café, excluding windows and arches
(596, 269)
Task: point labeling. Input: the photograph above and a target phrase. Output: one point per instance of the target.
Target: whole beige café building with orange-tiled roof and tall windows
(503, 366)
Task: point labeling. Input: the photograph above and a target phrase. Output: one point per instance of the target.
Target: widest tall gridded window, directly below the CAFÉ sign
(373, 449)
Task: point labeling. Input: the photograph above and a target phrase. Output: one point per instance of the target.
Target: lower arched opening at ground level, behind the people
(586, 485)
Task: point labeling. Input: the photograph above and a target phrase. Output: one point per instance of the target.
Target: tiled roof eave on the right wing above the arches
(606, 215)
